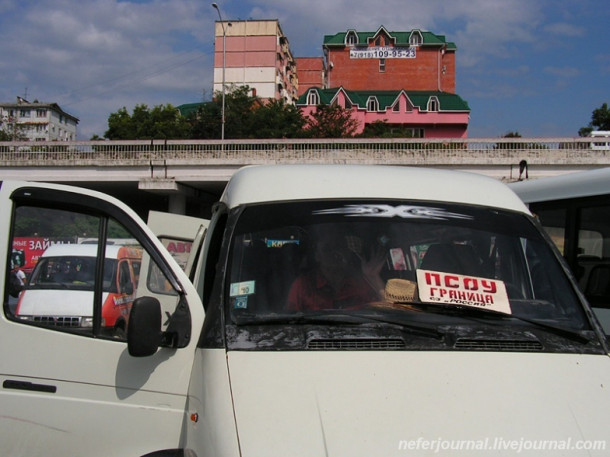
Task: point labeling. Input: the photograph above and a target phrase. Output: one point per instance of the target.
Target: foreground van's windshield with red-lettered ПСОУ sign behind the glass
(400, 262)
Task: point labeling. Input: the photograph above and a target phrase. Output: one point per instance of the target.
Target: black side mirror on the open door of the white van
(144, 327)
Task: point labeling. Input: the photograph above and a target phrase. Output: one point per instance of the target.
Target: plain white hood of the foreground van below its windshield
(418, 403)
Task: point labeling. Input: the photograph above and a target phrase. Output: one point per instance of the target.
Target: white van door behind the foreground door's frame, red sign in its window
(181, 235)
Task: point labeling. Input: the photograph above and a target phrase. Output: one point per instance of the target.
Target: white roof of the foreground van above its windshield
(272, 183)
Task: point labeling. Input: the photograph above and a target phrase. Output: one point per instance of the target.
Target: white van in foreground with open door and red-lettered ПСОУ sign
(334, 310)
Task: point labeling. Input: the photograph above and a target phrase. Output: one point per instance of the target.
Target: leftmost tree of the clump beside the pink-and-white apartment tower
(162, 122)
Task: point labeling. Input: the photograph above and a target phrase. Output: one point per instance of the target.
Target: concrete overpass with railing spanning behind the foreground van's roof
(187, 176)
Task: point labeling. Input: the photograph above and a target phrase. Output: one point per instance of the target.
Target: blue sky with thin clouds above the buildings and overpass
(539, 67)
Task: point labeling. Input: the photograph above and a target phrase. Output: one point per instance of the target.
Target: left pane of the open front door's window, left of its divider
(52, 290)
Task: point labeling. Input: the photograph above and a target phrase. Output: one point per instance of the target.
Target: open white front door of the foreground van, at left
(68, 383)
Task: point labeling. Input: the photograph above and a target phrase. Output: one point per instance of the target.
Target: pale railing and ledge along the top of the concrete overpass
(390, 151)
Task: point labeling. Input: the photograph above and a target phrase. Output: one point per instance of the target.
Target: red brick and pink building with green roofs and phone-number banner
(404, 79)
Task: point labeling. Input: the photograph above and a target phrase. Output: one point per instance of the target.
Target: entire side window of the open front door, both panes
(76, 272)
